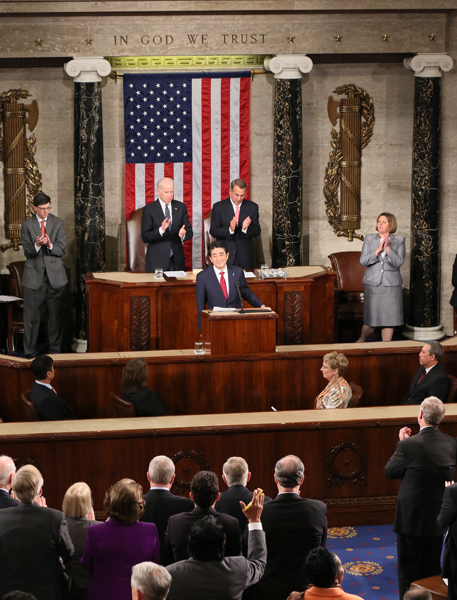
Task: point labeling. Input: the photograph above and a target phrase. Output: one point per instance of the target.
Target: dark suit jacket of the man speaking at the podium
(209, 292)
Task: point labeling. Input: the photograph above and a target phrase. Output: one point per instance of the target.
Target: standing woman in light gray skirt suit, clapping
(383, 254)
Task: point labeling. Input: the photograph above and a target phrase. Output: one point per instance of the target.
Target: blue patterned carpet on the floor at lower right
(369, 557)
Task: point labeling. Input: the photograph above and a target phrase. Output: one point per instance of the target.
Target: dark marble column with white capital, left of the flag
(89, 178)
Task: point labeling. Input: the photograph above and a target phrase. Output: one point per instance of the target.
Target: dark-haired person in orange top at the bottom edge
(326, 573)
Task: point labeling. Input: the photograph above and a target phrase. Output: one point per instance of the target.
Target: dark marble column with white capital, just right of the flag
(287, 158)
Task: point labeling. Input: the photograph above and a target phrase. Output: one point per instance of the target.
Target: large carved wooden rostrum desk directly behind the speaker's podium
(133, 311)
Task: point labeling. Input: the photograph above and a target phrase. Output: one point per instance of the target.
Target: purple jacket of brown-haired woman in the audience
(111, 550)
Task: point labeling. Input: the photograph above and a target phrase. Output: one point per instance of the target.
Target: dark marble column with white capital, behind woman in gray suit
(424, 311)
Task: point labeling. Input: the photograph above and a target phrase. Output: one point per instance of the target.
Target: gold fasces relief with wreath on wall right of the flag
(343, 172)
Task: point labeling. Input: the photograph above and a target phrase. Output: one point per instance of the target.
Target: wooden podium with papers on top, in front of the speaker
(251, 332)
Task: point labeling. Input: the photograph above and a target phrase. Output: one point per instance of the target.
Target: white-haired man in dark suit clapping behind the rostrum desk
(165, 226)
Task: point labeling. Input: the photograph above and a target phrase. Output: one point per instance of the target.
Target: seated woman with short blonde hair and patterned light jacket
(338, 391)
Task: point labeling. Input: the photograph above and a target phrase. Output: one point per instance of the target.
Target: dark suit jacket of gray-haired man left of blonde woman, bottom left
(32, 538)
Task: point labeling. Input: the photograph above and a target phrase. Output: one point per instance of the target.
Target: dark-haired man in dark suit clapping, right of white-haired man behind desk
(236, 221)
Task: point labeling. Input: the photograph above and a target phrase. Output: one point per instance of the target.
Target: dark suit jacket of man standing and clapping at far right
(423, 462)
